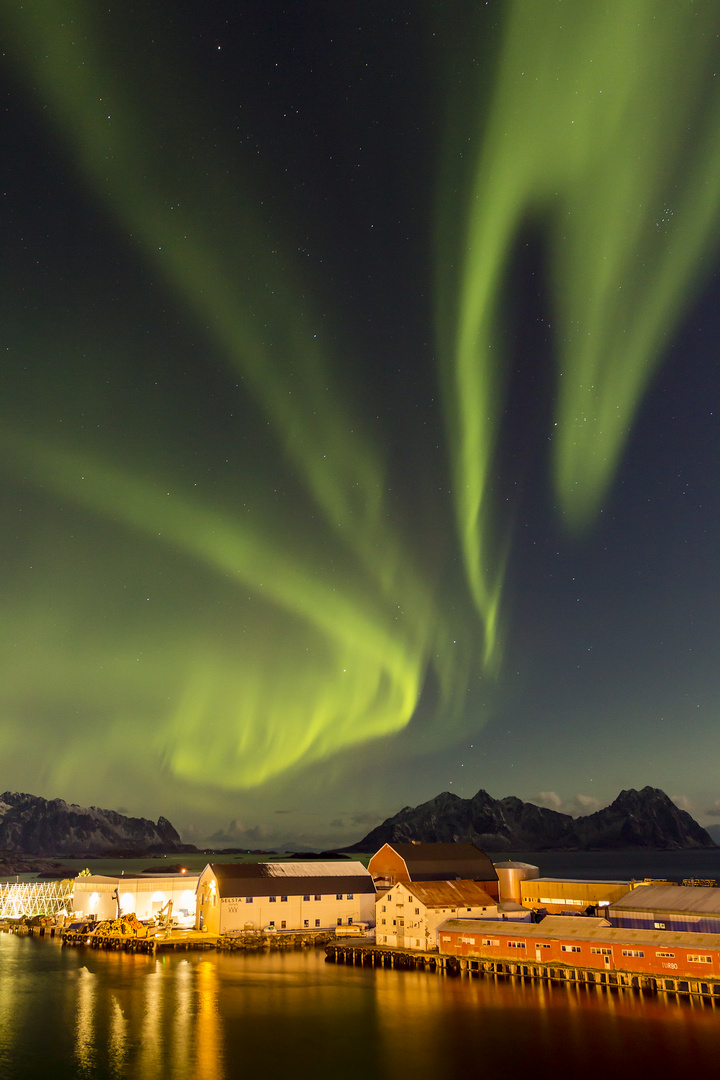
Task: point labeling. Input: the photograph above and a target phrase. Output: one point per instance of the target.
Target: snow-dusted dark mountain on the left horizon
(32, 826)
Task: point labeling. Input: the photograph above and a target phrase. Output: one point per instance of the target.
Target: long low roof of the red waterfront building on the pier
(583, 928)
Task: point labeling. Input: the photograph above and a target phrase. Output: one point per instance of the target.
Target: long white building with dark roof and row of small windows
(237, 898)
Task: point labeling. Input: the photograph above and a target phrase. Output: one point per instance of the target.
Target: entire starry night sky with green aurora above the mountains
(360, 408)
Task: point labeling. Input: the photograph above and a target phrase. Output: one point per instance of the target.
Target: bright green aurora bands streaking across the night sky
(275, 649)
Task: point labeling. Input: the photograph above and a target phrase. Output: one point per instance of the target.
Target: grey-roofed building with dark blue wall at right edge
(694, 909)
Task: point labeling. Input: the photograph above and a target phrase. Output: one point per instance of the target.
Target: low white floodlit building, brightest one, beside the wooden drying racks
(144, 895)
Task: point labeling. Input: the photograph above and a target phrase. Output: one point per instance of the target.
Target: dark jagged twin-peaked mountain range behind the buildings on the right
(646, 819)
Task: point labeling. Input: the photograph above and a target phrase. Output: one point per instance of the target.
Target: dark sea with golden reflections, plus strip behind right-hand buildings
(72, 1014)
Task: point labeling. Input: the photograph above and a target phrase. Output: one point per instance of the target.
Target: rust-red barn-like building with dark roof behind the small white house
(433, 862)
